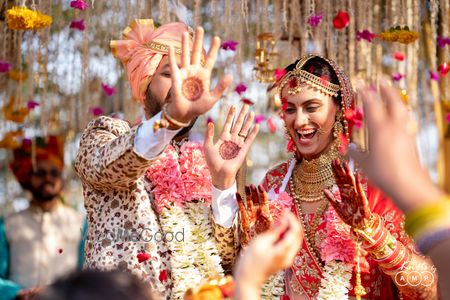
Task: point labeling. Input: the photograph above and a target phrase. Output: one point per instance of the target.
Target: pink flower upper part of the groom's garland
(180, 178)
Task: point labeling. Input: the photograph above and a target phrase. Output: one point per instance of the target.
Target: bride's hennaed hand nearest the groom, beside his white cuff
(255, 218)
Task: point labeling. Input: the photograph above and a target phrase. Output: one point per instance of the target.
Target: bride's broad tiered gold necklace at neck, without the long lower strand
(311, 177)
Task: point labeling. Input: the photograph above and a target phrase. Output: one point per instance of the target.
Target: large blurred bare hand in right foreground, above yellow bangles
(392, 162)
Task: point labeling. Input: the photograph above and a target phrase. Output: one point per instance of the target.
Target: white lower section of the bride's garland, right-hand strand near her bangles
(335, 283)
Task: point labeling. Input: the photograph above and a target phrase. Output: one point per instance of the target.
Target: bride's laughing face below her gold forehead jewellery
(309, 116)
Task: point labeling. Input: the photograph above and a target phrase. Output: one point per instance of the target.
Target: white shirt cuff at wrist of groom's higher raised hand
(150, 144)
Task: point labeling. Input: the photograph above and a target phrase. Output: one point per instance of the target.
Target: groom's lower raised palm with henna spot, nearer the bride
(226, 156)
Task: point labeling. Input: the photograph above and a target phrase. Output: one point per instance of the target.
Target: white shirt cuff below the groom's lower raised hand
(224, 205)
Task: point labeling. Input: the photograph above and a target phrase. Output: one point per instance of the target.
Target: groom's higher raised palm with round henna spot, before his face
(191, 93)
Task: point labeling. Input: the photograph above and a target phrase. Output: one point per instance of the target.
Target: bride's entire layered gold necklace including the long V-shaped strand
(308, 181)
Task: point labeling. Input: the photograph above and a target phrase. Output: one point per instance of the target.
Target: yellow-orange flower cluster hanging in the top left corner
(22, 18)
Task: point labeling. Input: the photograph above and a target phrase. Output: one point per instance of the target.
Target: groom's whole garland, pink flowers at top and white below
(196, 258)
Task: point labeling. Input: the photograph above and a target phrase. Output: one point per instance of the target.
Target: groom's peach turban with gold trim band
(141, 49)
